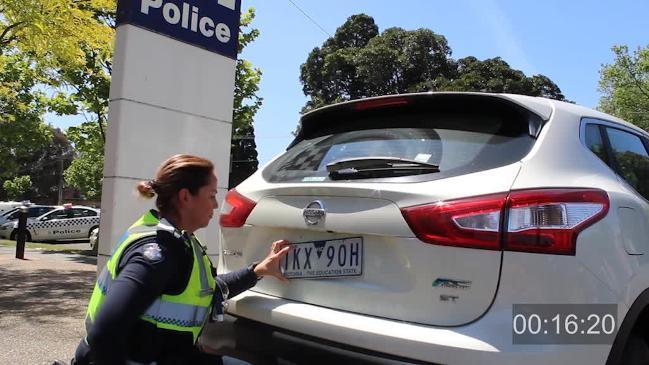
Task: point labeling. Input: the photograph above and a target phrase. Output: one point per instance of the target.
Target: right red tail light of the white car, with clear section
(541, 221)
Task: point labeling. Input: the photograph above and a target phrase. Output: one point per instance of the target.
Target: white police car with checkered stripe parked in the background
(65, 222)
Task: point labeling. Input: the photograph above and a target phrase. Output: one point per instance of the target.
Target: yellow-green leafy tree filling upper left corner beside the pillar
(50, 45)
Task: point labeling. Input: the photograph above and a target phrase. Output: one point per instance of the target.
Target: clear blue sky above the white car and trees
(567, 41)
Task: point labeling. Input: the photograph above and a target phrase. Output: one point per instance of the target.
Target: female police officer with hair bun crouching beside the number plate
(157, 290)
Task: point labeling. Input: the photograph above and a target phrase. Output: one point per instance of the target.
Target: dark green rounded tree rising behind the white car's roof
(358, 62)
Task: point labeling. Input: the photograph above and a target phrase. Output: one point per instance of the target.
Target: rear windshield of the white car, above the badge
(457, 144)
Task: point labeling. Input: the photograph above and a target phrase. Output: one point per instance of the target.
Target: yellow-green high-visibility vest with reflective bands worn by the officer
(185, 312)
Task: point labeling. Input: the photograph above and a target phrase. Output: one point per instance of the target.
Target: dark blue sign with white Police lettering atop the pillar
(209, 24)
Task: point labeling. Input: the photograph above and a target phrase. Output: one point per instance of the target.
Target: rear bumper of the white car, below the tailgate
(348, 337)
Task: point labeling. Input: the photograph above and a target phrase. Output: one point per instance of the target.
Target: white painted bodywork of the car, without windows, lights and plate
(393, 309)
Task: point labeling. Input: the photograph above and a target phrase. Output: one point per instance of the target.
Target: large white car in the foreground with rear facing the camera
(418, 222)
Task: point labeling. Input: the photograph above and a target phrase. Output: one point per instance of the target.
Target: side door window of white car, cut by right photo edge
(631, 158)
